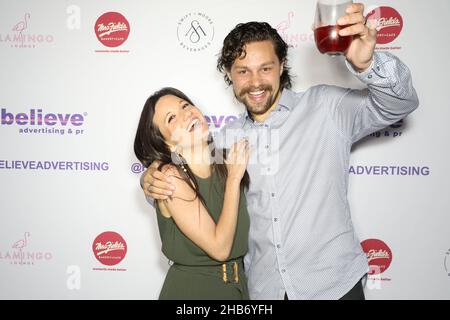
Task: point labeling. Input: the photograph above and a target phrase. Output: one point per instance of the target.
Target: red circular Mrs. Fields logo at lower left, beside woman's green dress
(109, 248)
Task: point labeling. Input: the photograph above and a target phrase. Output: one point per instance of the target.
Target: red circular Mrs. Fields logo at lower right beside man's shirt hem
(379, 255)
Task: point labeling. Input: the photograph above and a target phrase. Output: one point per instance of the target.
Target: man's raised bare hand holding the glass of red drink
(360, 52)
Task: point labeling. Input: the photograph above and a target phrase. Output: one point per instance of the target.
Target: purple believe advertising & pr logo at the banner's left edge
(37, 121)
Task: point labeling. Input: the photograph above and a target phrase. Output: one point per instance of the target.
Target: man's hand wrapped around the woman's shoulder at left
(156, 184)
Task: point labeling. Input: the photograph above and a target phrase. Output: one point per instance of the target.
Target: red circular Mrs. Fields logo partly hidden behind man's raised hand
(389, 24)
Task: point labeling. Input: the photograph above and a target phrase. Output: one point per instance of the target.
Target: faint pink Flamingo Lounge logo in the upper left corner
(22, 35)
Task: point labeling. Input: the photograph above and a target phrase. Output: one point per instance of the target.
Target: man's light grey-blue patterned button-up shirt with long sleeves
(301, 238)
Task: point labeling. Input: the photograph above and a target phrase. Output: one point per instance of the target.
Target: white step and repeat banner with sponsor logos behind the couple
(74, 75)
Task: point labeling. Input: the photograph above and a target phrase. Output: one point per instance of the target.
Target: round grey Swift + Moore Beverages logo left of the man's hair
(195, 31)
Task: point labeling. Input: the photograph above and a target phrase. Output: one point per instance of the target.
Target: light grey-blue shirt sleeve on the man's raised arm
(389, 97)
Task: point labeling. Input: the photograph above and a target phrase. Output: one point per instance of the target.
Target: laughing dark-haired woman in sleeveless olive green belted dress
(204, 224)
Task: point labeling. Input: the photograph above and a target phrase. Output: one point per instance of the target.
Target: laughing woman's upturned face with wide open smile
(180, 123)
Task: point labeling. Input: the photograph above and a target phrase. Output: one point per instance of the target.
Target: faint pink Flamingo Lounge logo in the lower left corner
(22, 253)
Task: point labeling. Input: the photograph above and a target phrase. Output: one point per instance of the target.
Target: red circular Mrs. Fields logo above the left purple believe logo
(112, 29)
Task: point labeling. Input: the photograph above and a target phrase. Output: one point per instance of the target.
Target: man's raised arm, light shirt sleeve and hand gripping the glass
(389, 96)
